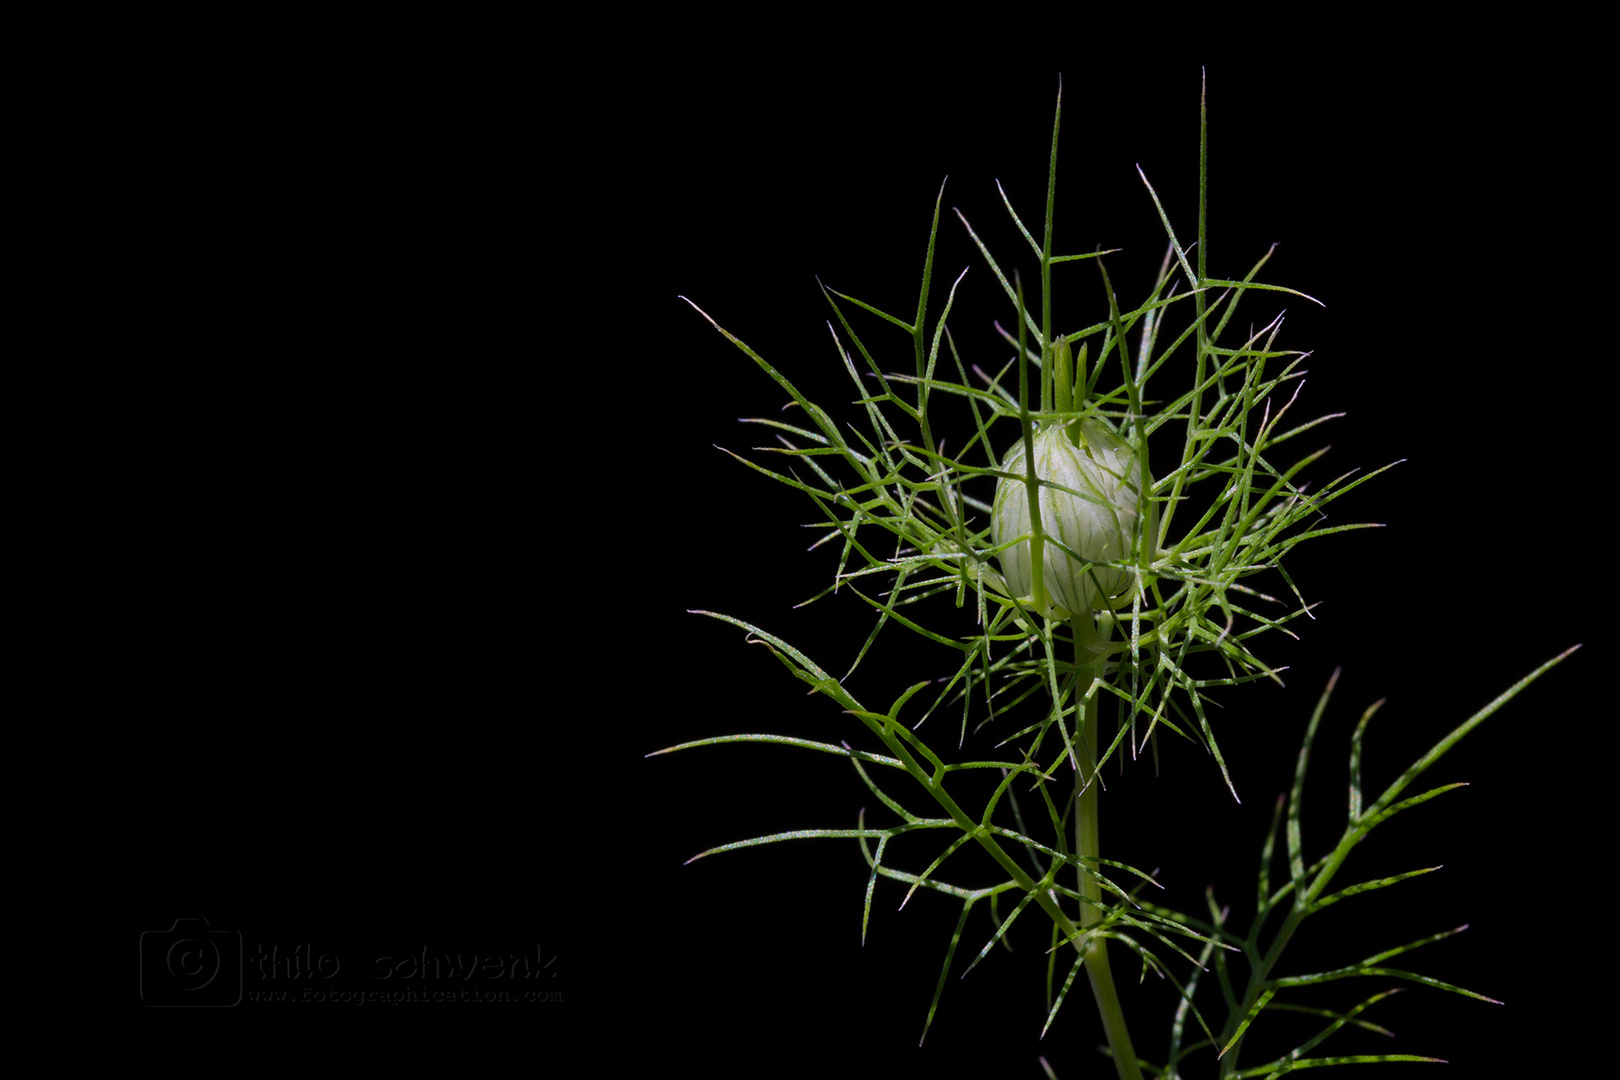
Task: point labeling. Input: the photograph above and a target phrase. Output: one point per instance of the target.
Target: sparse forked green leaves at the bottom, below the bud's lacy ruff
(1130, 921)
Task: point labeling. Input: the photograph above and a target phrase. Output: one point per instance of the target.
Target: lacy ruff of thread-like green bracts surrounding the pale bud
(914, 522)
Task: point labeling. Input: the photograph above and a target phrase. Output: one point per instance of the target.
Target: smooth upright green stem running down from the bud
(1089, 663)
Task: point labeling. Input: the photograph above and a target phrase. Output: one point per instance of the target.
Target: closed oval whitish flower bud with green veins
(1089, 503)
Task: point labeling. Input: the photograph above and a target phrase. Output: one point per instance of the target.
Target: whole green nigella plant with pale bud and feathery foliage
(1111, 538)
